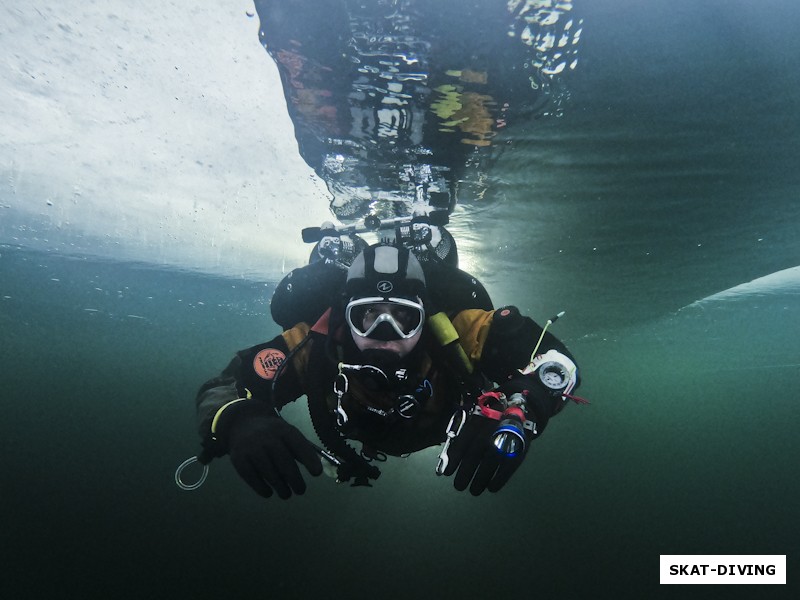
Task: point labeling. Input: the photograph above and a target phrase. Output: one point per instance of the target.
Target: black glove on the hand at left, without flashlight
(265, 449)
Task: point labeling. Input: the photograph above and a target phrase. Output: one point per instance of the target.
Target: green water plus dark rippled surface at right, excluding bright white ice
(670, 178)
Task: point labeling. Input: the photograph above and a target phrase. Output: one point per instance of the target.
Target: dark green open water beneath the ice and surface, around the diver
(679, 452)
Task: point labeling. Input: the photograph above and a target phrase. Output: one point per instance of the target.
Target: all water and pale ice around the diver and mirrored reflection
(149, 205)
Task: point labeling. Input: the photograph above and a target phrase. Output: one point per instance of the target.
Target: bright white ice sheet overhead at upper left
(144, 132)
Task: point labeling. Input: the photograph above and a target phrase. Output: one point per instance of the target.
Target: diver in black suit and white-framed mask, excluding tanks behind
(386, 369)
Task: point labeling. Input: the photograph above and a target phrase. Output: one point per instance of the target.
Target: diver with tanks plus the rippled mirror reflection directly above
(401, 108)
